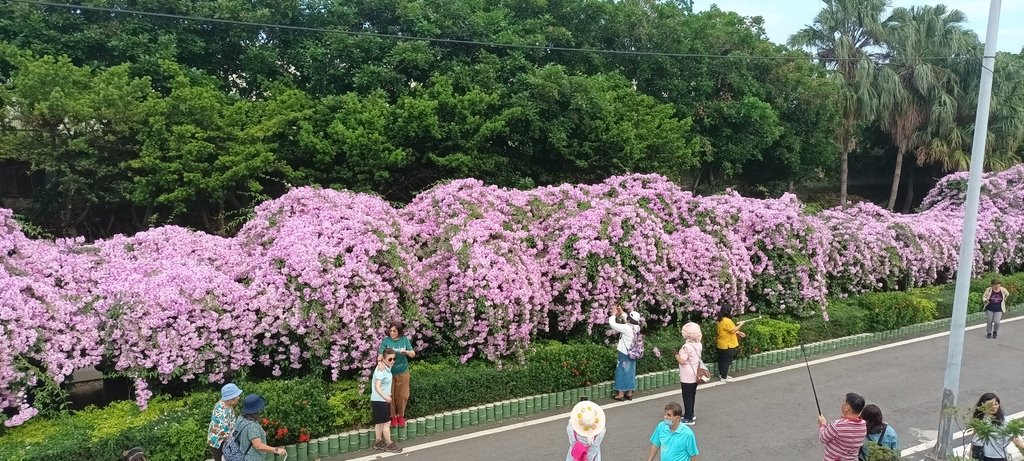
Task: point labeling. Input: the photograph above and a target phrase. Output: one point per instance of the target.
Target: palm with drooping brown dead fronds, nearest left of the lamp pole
(920, 92)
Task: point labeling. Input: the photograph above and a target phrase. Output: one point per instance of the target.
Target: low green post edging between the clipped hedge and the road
(499, 411)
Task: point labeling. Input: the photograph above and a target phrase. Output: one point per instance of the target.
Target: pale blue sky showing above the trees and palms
(784, 18)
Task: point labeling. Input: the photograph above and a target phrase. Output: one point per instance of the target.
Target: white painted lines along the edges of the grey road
(534, 423)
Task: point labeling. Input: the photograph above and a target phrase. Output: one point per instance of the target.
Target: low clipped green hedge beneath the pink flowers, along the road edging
(176, 429)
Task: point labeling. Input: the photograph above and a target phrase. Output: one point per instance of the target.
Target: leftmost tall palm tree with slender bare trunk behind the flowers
(844, 34)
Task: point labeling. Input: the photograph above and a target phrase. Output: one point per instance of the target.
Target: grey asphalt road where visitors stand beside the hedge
(770, 415)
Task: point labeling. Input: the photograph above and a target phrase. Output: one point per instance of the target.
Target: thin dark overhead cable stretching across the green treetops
(432, 39)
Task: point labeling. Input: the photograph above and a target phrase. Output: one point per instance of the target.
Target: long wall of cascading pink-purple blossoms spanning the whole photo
(312, 281)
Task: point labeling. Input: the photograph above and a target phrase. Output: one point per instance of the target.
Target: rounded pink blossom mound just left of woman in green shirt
(326, 270)
